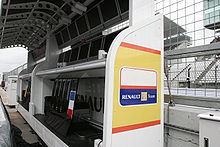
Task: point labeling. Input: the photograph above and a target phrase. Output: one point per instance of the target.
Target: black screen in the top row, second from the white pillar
(109, 10)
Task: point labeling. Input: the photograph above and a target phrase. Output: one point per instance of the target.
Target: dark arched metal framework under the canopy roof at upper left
(28, 22)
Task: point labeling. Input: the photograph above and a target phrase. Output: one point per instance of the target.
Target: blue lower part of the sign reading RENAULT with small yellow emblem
(130, 97)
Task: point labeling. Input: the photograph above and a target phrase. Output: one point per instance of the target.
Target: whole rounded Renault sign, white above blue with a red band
(137, 86)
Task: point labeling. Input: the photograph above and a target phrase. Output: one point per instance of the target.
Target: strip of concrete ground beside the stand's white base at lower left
(17, 120)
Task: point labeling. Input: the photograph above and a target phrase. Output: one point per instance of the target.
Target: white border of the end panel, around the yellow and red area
(148, 34)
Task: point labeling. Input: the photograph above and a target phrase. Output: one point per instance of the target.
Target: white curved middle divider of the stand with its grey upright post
(41, 87)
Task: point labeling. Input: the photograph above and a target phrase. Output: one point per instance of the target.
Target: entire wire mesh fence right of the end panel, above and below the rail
(192, 24)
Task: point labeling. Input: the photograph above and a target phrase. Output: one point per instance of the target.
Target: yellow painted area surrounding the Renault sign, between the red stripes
(123, 116)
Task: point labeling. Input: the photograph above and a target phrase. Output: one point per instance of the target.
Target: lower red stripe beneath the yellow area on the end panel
(134, 127)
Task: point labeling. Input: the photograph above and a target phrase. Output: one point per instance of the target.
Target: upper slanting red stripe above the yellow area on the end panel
(140, 48)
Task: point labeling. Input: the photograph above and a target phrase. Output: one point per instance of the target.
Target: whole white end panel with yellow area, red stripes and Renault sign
(133, 113)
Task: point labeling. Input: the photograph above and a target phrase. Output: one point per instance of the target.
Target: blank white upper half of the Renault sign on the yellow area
(138, 77)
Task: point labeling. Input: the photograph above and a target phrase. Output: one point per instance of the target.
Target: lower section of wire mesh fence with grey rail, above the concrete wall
(193, 74)
